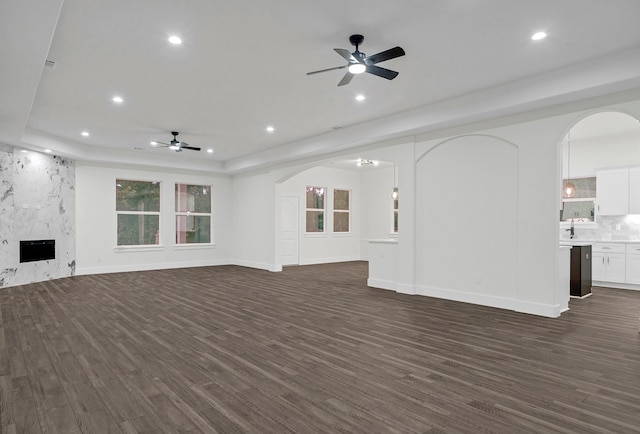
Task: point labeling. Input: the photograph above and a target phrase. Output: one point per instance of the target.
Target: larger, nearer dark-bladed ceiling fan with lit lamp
(359, 62)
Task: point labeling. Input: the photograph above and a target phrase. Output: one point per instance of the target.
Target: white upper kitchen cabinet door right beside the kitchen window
(612, 192)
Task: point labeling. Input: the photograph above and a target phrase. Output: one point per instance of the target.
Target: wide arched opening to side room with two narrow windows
(328, 211)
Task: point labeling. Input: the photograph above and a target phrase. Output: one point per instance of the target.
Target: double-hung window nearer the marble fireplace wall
(138, 212)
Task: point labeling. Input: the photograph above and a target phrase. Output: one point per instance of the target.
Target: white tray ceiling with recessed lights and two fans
(243, 66)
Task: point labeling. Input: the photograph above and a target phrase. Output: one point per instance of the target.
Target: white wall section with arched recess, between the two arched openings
(510, 177)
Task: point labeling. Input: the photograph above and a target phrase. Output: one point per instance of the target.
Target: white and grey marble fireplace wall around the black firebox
(37, 202)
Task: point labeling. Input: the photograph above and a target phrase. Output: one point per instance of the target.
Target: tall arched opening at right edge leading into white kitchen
(601, 216)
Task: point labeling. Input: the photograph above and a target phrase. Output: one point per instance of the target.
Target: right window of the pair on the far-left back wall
(193, 214)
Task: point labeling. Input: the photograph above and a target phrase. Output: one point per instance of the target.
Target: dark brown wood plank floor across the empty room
(309, 350)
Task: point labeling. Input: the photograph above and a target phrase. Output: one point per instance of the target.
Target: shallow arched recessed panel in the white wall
(467, 219)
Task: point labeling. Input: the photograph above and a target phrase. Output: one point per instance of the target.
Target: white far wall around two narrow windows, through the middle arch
(328, 246)
